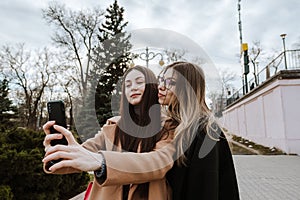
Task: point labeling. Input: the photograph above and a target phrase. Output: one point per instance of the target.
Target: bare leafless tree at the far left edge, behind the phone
(30, 73)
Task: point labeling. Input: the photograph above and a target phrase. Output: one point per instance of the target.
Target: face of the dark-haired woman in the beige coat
(134, 87)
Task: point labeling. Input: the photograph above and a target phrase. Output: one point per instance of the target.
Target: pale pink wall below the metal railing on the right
(269, 114)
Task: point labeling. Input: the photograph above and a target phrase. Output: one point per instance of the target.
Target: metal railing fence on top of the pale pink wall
(288, 60)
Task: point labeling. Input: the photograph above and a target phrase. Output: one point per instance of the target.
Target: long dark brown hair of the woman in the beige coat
(135, 119)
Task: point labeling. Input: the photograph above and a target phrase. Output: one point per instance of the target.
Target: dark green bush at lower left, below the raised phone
(21, 169)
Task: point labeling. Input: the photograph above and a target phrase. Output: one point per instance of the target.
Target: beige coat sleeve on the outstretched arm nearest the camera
(128, 167)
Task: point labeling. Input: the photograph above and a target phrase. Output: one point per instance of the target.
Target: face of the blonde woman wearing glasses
(166, 87)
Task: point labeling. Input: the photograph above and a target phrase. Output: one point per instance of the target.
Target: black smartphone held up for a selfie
(56, 112)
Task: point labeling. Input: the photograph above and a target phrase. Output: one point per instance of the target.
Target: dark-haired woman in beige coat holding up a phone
(122, 177)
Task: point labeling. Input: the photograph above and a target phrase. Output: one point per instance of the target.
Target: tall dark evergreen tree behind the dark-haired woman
(115, 46)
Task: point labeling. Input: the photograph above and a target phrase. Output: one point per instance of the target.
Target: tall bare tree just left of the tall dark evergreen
(76, 32)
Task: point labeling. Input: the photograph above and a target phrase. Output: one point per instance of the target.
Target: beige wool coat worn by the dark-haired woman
(131, 168)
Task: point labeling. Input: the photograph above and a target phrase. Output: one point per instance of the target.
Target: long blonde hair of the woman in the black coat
(188, 106)
